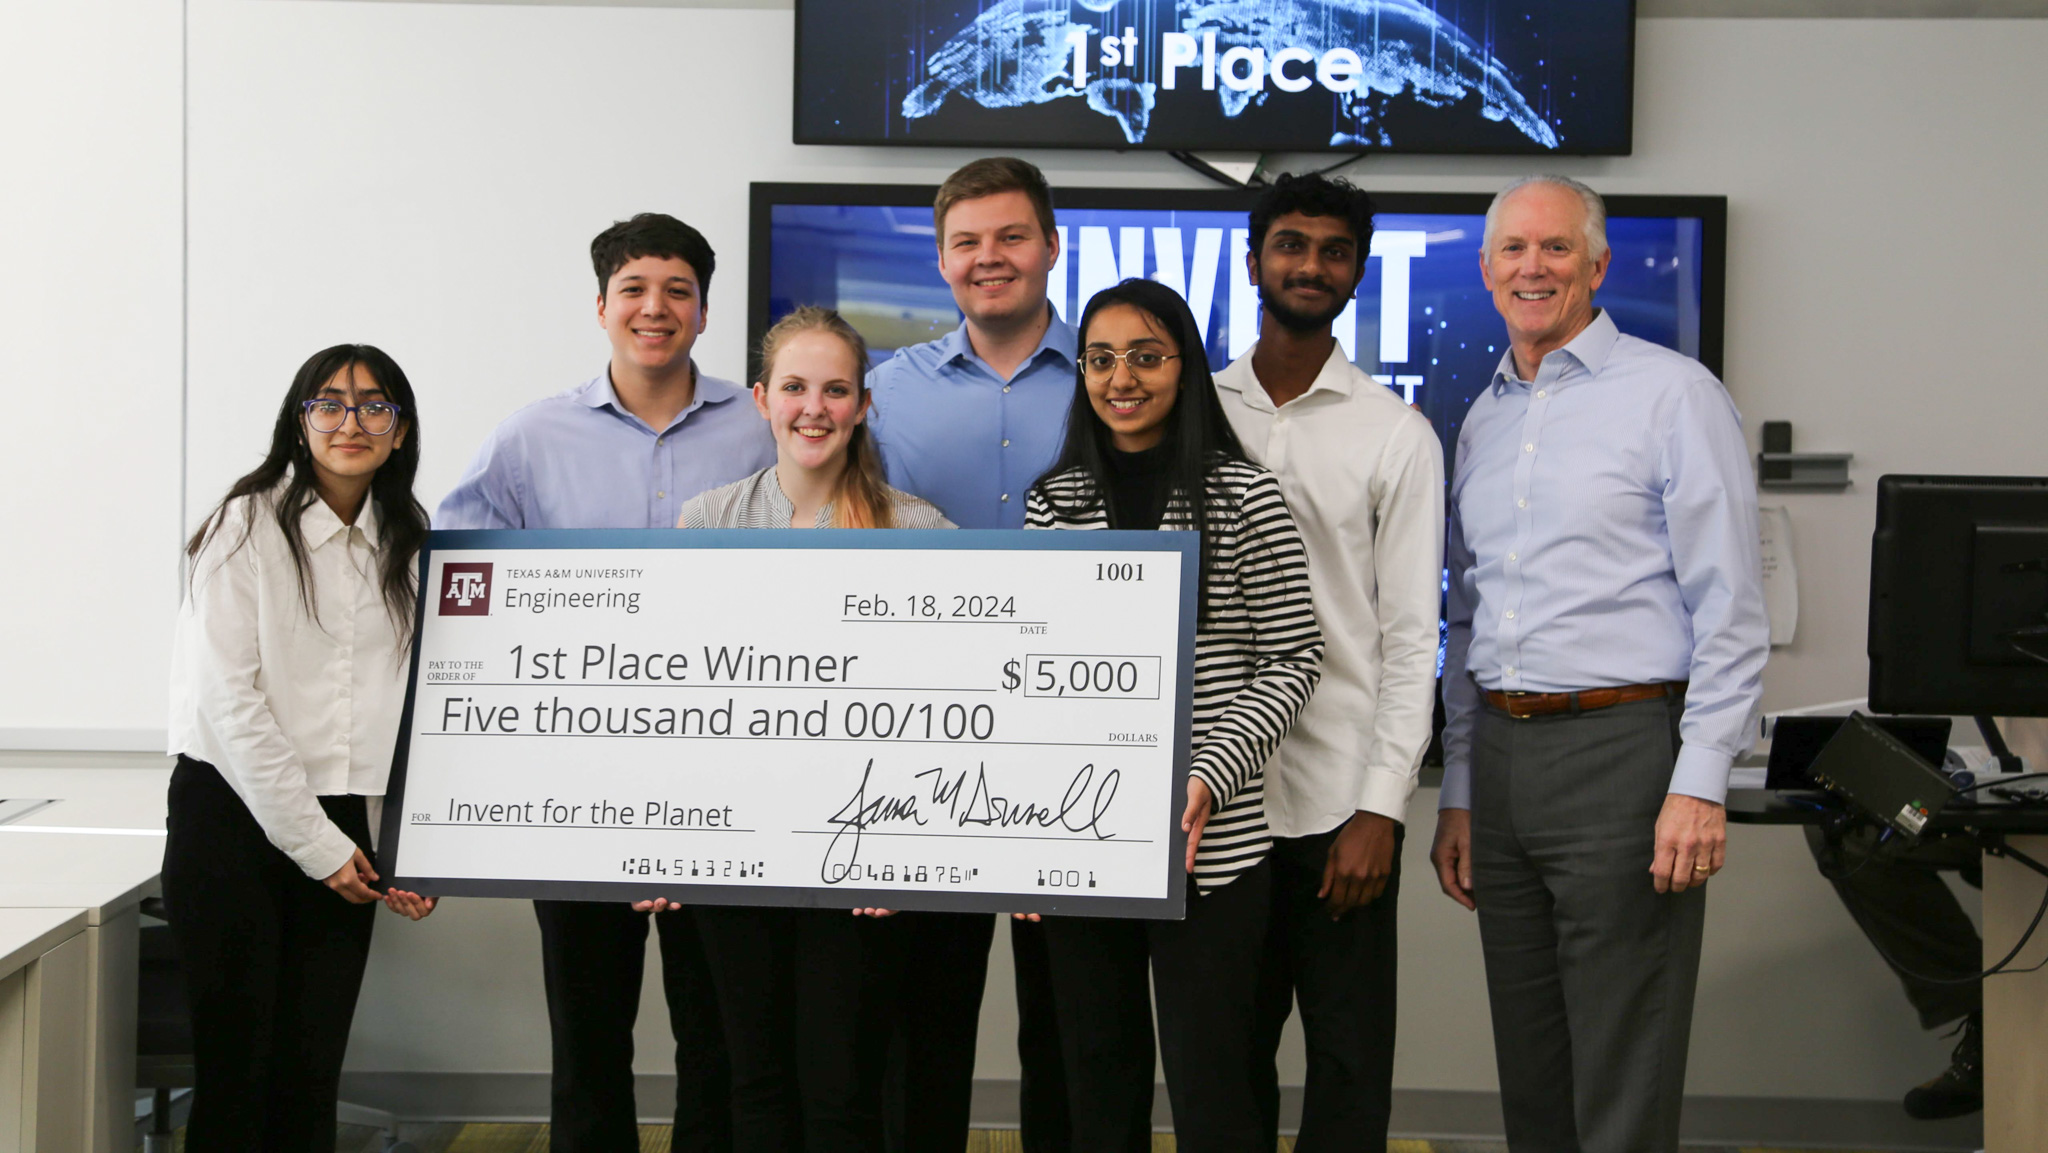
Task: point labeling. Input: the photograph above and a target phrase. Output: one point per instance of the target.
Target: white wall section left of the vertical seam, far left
(91, 345)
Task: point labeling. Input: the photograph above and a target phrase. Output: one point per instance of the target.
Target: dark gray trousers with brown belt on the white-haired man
(1590, 972)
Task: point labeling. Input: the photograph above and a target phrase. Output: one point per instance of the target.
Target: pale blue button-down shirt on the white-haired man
(1605, 531)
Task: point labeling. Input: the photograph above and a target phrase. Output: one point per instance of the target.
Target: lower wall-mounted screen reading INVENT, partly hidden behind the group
(1422, 321)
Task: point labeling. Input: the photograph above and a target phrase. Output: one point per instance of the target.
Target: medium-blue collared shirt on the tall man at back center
(959, 435)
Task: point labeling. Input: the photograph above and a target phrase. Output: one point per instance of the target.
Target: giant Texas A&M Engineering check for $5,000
(974, 722)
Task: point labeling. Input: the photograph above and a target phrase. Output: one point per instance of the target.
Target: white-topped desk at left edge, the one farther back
(103, 863)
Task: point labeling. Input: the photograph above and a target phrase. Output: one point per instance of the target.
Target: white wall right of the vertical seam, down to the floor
(427, 177)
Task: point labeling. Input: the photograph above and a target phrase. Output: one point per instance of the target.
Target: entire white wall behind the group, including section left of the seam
(427, 177)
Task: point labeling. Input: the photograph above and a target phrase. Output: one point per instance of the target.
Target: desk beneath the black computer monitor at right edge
(2016, 1007)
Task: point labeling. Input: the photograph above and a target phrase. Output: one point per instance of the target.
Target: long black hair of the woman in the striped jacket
(1197, 433)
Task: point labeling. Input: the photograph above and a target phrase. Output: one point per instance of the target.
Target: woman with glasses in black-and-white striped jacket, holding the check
(1148, 447)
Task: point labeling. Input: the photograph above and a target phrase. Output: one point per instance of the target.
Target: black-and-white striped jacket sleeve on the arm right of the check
(1273, 579)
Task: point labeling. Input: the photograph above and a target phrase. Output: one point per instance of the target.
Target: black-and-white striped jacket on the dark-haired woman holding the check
(1256, 658)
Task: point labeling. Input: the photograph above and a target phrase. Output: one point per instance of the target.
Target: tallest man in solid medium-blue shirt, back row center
(970, 421)
